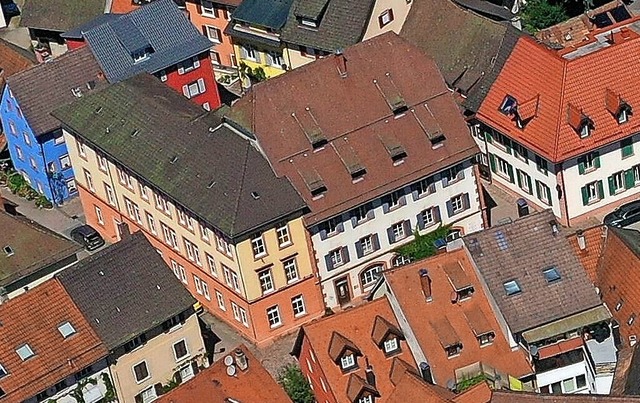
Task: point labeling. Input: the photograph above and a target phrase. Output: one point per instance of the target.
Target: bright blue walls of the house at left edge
(40, 159)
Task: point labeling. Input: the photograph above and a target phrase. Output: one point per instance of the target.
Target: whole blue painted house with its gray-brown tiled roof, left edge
(34, 137)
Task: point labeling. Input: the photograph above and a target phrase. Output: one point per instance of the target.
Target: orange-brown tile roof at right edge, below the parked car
(618, 264)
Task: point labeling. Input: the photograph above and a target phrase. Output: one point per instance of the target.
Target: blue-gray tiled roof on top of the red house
(159, 25)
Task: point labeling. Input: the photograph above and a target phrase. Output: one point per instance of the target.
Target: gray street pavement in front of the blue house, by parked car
(60, 219)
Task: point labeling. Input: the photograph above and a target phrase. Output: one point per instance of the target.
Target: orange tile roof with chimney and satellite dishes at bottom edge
(214, 385)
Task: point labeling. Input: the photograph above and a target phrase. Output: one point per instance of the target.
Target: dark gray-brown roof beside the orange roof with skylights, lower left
(125, 290)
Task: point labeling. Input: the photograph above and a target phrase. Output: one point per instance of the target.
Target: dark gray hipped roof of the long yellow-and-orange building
(215, 171)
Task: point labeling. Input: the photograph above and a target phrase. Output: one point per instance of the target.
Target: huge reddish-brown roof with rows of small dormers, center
(354, 115)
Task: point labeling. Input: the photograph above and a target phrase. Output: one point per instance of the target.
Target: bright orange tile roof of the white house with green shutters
(569, 88)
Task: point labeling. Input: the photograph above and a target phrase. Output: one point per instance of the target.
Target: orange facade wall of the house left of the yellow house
(200, 21)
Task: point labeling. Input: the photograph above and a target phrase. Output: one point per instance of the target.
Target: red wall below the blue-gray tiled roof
(205, 71)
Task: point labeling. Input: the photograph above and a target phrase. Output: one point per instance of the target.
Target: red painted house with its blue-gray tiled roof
(174, 51)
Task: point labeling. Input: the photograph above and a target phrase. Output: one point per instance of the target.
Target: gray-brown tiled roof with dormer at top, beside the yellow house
(342, 24)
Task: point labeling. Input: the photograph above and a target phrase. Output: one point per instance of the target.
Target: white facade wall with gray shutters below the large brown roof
(470, 220)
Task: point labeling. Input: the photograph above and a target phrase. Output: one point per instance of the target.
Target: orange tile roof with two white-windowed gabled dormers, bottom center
(356, 324)
